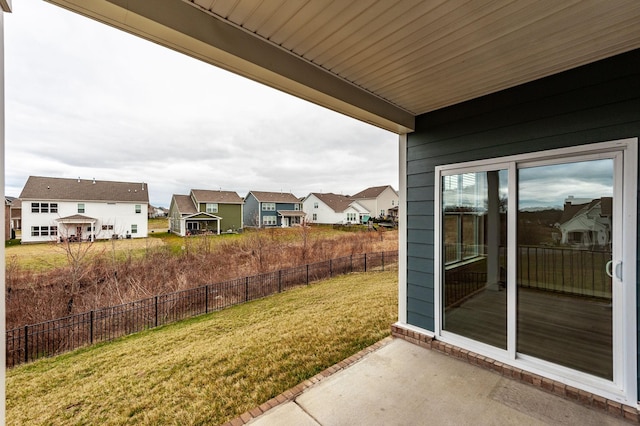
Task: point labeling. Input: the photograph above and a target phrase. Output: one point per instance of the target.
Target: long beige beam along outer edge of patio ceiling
(186, 29)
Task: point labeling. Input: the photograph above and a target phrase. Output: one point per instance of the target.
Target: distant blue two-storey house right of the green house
(269, 209)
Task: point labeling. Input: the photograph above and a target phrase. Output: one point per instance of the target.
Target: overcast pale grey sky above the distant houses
(87, 100)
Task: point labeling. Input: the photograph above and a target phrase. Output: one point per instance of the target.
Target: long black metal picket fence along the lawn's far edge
(31, 342)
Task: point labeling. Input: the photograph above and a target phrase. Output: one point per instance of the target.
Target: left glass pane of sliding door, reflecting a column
(474, 237)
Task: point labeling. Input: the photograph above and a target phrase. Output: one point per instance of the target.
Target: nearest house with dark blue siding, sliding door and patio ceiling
(499, 94)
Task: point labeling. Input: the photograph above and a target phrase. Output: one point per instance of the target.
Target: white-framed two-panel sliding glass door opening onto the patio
(530, 263)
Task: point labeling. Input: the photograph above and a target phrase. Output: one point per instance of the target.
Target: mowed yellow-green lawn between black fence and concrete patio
(210, 369)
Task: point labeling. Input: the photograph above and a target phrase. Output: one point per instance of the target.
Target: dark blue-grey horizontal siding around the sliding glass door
(594, 103)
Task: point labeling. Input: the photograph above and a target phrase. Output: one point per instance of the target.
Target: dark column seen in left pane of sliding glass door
(493, 231)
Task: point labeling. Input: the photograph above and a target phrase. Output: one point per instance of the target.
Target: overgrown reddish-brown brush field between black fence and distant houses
(116, 272)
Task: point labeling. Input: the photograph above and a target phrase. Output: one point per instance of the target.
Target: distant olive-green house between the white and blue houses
(205, 211)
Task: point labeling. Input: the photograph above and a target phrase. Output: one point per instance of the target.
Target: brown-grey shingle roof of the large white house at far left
(47, 188)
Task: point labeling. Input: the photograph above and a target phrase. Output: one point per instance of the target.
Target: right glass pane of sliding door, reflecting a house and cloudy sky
(564, 243)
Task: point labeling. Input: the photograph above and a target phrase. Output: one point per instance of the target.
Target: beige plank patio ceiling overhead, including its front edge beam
(385, 61)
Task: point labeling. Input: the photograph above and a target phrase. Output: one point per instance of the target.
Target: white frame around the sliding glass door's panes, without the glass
(623, 388)
